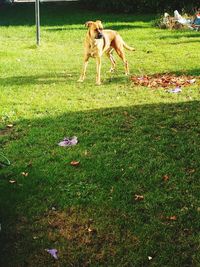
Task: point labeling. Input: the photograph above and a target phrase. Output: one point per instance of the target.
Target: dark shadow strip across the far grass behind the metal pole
(59, 14)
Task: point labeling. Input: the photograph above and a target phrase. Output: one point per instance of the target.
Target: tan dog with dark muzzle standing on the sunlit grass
(99, 41)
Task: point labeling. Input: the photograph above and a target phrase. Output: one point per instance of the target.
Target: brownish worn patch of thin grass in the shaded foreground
(80, 240)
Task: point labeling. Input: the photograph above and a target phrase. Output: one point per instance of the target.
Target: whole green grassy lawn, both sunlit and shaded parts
(133, 141)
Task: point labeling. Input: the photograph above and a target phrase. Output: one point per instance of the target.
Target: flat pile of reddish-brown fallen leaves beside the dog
(166, 80)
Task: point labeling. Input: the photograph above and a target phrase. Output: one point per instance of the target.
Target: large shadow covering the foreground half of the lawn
(123, 152)
